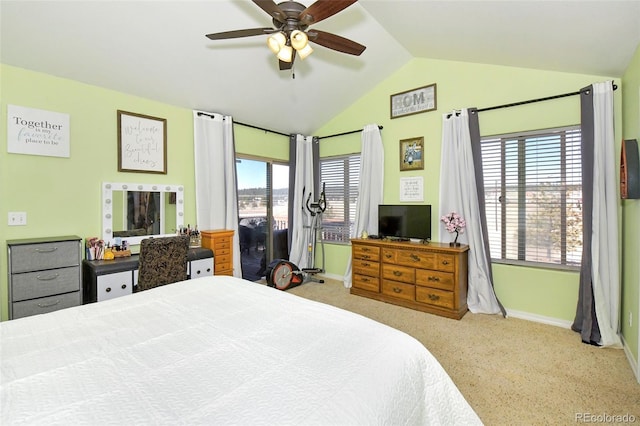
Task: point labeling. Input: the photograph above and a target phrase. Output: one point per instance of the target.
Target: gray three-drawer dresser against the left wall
(44, 275)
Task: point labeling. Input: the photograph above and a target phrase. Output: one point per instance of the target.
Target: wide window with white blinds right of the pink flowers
(533, 194)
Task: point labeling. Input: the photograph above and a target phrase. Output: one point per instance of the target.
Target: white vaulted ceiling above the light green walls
(158, 49)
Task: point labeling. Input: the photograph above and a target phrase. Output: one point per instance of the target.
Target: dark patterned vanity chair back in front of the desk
(162, 261)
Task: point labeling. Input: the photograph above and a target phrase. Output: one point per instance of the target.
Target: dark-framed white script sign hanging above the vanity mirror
(142, 143)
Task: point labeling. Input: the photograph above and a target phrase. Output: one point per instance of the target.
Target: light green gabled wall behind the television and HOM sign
(542, 292)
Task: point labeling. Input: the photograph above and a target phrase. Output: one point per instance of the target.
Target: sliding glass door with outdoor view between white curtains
(263, 188)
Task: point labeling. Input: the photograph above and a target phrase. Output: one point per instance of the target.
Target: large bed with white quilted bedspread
(219, 350)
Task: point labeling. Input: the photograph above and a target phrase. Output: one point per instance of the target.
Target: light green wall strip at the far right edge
(631, 212)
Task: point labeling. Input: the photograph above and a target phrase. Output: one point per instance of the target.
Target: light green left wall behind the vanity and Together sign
(62, 196)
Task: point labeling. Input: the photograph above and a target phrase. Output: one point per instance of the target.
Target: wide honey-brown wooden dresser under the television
(426, 277)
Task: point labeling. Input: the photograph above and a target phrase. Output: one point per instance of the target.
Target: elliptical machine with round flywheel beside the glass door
(283, 274)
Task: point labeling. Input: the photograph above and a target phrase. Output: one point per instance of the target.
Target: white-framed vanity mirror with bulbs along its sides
(134, 211)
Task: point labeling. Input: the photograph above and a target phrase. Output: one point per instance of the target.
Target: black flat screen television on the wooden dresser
(404, 221)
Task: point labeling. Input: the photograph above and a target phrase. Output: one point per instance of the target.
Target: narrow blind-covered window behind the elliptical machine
(341, 176)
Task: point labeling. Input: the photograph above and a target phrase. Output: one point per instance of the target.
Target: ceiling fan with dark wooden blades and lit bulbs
(290, 35)
